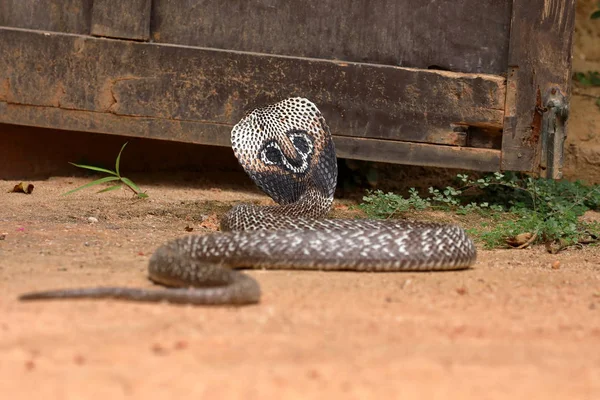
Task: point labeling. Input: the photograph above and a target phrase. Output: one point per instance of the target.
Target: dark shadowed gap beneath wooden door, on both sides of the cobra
(28, 153)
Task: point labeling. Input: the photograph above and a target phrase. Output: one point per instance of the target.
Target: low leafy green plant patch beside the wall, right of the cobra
(518, 210)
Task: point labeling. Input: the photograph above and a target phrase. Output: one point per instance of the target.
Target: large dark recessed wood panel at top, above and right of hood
(463, 36)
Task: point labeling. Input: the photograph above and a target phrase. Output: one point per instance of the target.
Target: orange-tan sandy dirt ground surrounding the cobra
(520, 324)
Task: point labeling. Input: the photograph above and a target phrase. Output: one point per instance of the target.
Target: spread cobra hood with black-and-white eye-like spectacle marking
(287, 150)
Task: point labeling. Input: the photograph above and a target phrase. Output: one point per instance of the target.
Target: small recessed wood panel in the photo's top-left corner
(71, 16)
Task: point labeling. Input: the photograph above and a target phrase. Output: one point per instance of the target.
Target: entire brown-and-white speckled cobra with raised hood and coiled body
(287, 150)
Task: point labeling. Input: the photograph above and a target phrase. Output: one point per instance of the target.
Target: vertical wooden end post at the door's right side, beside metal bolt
(539, 61)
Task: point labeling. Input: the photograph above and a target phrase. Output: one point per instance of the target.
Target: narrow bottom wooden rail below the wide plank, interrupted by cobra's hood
(214, 134)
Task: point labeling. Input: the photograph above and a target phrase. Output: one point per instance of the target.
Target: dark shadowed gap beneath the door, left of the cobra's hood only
(37, 153)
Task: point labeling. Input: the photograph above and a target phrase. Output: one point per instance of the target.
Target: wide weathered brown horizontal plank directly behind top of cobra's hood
(218, 87)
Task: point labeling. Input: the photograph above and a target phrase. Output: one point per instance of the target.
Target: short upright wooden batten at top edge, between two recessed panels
(122, 19)
